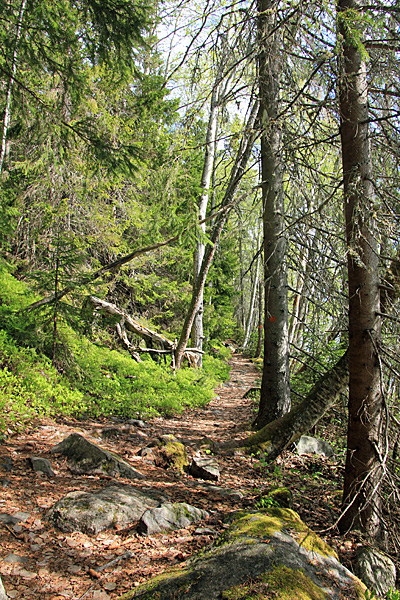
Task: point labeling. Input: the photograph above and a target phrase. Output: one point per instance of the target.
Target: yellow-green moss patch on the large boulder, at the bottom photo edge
(281, 583)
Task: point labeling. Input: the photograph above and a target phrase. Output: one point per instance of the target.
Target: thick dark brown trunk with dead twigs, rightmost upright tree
(363, 470)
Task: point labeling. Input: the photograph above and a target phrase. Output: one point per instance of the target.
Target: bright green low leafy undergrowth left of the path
(95, 380)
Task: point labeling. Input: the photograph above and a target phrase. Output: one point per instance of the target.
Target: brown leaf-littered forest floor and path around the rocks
(39, 561)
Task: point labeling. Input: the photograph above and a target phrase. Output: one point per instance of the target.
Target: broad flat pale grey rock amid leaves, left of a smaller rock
(92, 512)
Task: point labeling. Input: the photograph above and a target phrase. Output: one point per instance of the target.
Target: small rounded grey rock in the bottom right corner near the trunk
(376, 570)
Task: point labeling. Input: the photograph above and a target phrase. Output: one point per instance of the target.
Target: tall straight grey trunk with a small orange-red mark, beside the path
(275, 387)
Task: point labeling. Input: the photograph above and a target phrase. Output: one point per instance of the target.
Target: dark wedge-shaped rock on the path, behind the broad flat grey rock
(86, 457)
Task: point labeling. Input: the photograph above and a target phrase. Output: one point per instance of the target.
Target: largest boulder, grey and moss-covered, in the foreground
(257, 557)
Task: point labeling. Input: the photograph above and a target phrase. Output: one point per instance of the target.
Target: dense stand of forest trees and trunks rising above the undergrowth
(215, 170)
